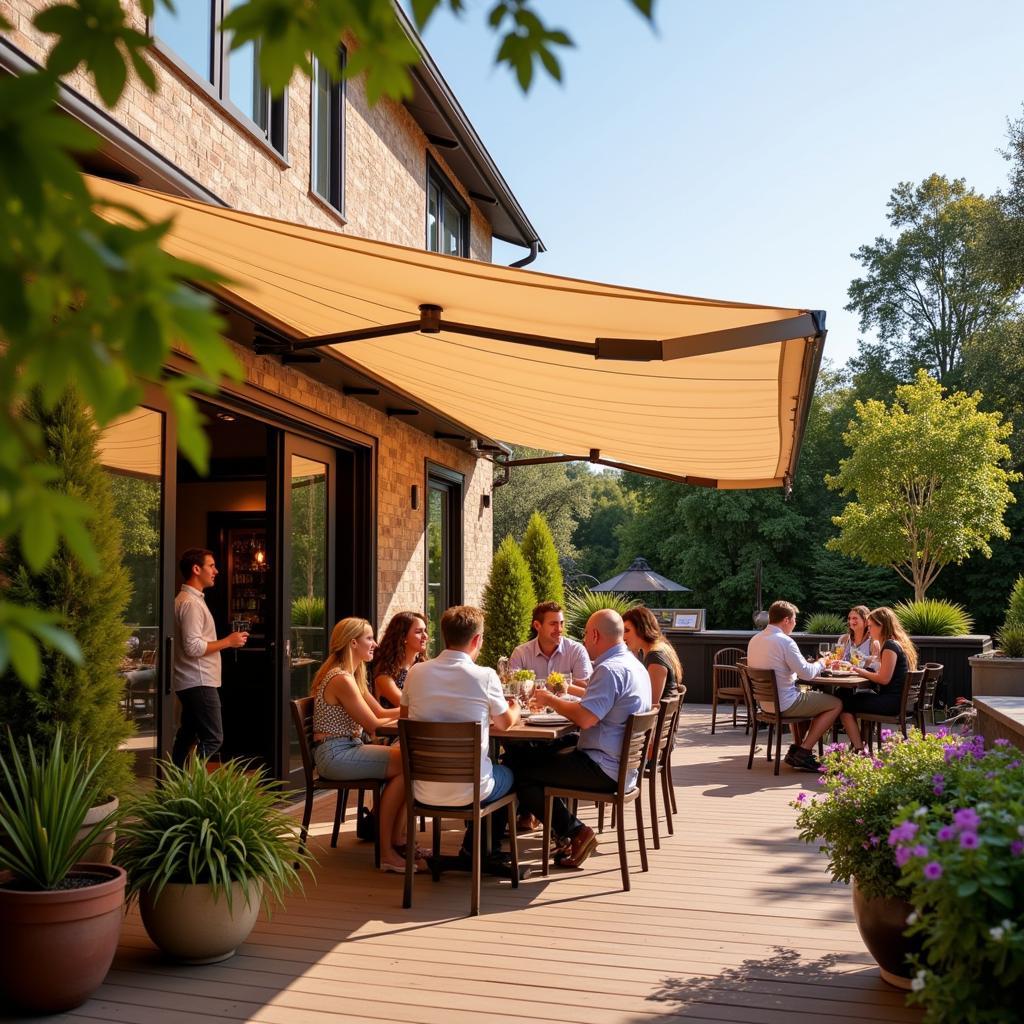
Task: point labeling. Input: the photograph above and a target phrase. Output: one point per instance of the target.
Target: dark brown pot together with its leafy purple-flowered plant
(854, 821)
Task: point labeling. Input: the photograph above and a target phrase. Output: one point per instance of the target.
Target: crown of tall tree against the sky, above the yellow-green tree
(929, 291)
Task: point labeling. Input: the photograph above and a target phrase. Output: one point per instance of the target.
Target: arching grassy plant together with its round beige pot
(204, 852)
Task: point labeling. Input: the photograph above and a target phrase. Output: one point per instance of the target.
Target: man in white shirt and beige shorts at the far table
(775, 649)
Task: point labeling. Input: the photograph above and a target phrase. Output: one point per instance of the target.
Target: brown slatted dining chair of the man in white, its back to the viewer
(450, 752)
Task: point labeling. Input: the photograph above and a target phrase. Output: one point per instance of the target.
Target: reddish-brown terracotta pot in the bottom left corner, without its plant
(57, 948)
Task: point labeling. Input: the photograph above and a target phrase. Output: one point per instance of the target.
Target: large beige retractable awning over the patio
(694, 390)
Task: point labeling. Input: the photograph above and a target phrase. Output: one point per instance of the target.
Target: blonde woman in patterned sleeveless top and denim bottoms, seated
(344, 709)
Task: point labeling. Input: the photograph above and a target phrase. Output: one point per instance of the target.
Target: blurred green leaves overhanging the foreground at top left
(95, 302)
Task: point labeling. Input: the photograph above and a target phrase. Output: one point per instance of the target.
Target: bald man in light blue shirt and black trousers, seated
(619, 688)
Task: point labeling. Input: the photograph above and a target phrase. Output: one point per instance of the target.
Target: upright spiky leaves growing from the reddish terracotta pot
(45, 798)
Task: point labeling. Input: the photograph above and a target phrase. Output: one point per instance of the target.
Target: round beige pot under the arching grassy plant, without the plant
(191, 926)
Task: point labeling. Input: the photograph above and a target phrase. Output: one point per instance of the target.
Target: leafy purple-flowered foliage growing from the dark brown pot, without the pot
(852, 820)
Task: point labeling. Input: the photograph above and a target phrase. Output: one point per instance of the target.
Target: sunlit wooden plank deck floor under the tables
(737, 922)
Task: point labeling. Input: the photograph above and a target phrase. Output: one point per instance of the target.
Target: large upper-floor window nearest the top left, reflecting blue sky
(192, 34)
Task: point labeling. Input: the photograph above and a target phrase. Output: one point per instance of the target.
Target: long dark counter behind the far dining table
(697, 654)
